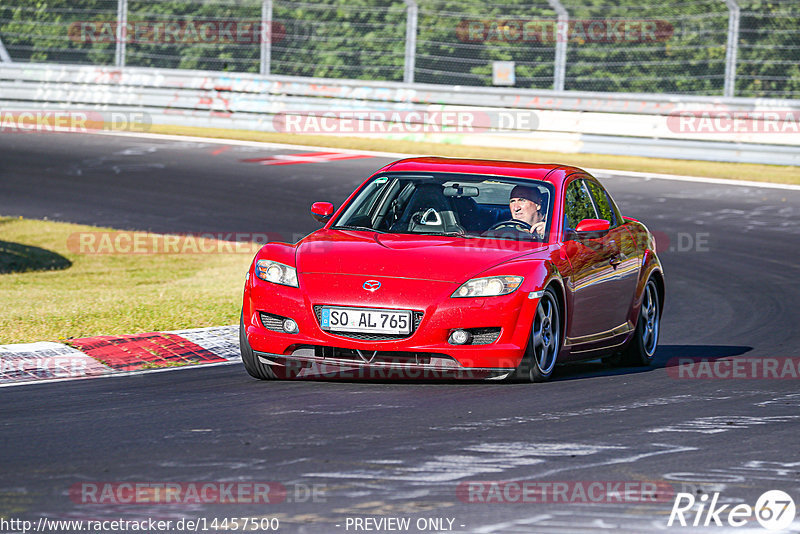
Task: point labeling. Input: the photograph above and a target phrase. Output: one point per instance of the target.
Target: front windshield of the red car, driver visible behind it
(465, 205)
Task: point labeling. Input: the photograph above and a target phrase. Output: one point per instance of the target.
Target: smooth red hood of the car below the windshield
(421, 257)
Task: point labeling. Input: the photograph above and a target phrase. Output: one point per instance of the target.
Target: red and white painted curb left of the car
(105, 356)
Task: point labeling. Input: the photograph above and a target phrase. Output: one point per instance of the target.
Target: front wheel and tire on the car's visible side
(544, 342)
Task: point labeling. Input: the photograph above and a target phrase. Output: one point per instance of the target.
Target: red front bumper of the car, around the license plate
(512, 314)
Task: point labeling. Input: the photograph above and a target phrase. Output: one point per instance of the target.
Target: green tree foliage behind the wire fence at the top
(457, 41)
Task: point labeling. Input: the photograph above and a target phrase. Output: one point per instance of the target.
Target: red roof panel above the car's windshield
(550, 172)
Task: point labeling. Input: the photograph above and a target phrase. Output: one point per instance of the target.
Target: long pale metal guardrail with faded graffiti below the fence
(606, 123)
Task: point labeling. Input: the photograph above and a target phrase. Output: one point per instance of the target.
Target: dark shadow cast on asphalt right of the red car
(666, 356)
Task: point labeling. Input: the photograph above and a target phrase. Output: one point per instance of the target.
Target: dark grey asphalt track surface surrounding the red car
(402, 449)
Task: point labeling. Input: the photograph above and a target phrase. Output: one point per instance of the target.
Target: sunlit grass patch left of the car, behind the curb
(50, 293)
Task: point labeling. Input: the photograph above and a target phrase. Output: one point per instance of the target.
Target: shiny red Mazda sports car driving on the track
(440, 268)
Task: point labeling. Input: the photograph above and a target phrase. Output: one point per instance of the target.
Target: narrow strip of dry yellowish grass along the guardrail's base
(732, 171)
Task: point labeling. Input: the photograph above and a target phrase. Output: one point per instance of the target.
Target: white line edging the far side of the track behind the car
(396, 155)
